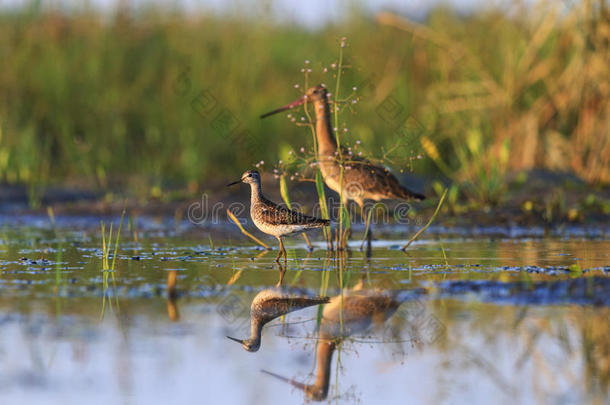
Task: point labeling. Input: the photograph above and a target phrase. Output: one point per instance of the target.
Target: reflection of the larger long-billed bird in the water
(360, 309)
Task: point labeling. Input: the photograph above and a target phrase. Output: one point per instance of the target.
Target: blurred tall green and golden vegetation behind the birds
(150, 100)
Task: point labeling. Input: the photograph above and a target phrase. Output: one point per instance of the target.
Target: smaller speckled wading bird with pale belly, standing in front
(273, 219)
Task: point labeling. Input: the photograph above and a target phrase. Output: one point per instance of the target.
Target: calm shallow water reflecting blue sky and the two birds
(465, 320)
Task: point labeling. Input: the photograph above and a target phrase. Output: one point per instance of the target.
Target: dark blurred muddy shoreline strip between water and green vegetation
(547, 203)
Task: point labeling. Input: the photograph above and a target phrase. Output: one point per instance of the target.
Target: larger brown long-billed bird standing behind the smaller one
(362, 180)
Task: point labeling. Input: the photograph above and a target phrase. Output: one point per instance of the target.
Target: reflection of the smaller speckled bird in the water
(270, 304)
